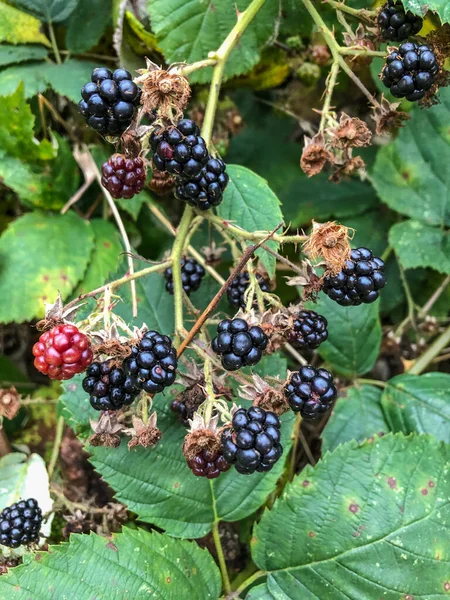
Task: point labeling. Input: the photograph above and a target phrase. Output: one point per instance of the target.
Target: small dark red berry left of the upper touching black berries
(123, 177)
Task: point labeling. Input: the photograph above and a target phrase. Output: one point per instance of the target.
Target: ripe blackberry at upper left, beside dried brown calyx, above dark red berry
(109, 101)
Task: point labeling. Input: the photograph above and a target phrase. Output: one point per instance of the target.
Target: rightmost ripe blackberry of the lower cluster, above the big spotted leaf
(310, 391)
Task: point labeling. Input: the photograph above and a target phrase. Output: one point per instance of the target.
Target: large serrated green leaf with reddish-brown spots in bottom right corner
(366, 522)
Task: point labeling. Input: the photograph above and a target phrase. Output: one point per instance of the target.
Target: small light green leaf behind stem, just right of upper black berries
(250, 203)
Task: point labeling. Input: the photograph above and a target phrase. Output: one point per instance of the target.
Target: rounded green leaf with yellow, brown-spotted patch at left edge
(50, 252)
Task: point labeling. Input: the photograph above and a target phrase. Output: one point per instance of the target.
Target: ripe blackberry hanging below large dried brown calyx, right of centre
(359, 281)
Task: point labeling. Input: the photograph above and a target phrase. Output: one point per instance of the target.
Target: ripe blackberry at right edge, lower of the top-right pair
(410, 71)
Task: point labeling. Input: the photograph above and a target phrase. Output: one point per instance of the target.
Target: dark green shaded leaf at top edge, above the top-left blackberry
(87, 24)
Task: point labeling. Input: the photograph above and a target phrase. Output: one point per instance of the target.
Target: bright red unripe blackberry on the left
(62, 352)
